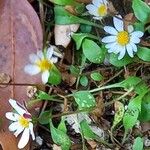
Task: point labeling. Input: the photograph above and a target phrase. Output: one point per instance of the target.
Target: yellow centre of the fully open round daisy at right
(123, 38)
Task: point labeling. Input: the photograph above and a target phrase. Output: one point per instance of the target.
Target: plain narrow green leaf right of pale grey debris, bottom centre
(87, 132)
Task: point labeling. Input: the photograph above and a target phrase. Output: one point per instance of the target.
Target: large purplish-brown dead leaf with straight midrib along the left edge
(20, 35)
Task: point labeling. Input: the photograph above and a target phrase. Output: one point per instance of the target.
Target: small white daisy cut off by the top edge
(98, 9)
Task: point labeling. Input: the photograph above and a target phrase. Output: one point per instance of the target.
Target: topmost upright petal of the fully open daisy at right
(118, 23)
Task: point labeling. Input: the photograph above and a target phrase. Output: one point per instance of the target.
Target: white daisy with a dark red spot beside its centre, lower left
(21, 122)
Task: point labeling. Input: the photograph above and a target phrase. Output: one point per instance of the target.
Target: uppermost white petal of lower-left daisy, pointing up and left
(18, 107)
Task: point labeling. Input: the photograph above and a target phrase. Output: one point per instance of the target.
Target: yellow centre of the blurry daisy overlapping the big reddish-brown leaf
(44, 64)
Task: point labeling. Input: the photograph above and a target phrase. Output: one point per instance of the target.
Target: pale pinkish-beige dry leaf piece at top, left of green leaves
(62, 34)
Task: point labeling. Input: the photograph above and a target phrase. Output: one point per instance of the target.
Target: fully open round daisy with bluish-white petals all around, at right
(121, 40)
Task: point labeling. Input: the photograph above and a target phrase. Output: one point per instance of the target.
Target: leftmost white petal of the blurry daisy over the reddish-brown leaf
(31, 69)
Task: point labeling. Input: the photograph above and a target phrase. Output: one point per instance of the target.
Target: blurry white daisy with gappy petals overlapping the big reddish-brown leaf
(42, 63)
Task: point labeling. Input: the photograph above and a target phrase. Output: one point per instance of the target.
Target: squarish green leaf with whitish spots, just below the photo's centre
(84, 99)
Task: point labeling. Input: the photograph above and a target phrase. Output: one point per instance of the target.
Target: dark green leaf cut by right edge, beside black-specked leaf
(145, 108)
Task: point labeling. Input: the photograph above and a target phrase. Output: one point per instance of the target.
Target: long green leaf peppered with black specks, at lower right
(132, 113)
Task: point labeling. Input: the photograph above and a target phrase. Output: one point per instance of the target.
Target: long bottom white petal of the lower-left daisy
(24, 139)
